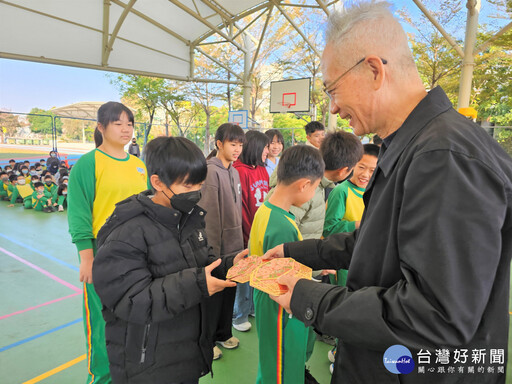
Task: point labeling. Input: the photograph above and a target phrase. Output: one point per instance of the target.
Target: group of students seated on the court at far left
(34, 186)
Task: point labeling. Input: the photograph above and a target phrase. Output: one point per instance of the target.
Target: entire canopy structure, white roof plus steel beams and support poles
(162, 37)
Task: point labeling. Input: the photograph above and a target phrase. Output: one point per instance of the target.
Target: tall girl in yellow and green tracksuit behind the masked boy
(98, 181)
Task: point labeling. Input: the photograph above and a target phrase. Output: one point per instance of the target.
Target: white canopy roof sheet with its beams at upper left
(147, 37)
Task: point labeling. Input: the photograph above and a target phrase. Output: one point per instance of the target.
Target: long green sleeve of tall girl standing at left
(81, 194)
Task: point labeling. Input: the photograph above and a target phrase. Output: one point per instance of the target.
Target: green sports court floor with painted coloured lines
(41, 309)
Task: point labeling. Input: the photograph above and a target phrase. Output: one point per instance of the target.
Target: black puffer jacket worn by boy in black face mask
(149, 275)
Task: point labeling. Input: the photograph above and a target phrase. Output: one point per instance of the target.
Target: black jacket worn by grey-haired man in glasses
(429, 267)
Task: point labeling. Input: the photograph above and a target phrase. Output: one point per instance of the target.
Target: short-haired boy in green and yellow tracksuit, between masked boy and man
(298, 173)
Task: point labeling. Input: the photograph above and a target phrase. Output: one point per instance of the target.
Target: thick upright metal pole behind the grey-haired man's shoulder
(468, 63)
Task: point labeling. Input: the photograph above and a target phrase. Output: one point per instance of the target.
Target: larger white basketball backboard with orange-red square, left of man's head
(290, 95)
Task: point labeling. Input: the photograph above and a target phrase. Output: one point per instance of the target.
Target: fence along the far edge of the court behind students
(37, 129)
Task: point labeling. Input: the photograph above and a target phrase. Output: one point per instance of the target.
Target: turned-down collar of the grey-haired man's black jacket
(435, 103)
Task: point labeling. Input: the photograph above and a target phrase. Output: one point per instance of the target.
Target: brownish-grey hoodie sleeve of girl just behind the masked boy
(211, 203)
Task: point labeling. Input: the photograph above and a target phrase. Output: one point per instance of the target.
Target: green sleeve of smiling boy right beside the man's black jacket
(336, 206)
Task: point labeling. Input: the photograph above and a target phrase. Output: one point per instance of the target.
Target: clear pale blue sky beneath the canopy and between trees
(25, 85)
